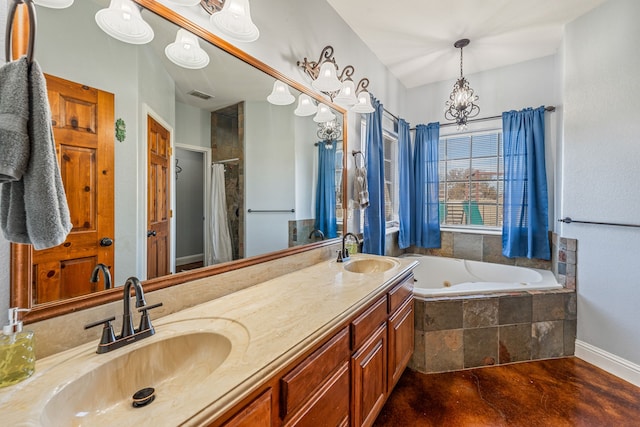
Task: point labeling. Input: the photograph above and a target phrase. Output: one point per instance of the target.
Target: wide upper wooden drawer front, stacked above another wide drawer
(298, 385)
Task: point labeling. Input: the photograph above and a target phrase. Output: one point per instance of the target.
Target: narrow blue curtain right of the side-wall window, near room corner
(405, 172)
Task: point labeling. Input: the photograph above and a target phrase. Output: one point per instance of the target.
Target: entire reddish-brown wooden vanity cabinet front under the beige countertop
(346, 379)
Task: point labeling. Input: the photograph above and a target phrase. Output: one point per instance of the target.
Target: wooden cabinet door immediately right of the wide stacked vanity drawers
(369, 378)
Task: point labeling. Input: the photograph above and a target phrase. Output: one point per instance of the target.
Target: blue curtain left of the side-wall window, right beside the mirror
(374, 218)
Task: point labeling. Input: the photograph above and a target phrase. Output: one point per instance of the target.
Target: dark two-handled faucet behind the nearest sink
(109, 340)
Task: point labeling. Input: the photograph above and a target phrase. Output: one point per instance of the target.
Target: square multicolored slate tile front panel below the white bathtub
(465, 332)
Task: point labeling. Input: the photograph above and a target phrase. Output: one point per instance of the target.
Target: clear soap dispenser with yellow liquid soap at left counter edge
(17, 353)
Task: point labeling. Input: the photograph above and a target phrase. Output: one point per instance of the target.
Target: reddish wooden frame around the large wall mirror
(21, 271)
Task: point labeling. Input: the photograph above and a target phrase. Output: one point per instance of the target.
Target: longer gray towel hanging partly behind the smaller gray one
(34, 210)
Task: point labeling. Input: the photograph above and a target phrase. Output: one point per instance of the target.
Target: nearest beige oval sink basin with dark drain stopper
(174, 362)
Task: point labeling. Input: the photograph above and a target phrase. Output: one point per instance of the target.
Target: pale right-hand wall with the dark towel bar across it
(601, 174)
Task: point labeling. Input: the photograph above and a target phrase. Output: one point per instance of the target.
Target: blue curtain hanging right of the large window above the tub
(525, 222)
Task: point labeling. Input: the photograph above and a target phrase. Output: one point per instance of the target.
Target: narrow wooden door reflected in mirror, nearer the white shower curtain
(158, 211)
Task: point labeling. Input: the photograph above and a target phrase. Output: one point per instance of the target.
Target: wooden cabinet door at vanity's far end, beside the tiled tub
(401, 341)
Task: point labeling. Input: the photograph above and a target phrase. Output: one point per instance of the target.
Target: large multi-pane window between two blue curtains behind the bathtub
(471, 179)
